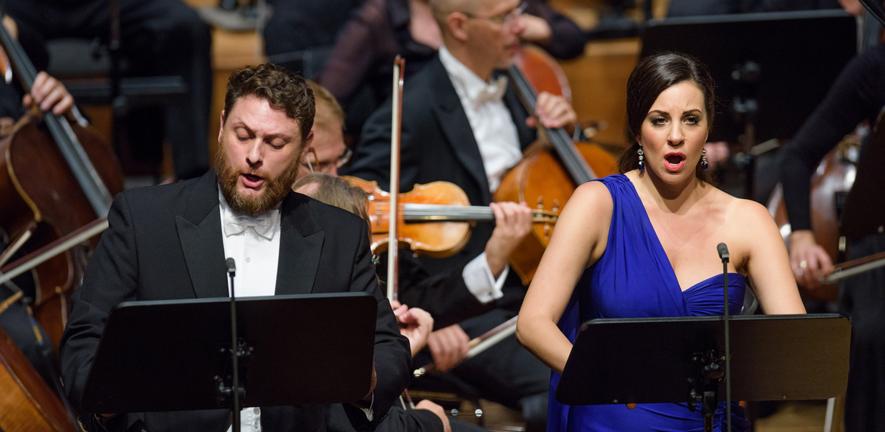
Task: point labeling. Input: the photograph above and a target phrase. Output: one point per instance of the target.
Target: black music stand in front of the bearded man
(174, 355)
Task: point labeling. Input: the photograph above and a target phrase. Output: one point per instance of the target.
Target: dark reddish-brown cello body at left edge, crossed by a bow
(41, 198)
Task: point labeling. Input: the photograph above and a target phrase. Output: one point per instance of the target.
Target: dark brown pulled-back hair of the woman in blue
(653, 75)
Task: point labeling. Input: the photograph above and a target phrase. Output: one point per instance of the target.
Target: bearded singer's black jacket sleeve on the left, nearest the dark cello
(110, 279)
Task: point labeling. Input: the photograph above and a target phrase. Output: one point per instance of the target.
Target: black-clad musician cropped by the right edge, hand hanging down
(857, 95)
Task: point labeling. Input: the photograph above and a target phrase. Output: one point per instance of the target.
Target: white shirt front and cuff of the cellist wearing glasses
(495, 134)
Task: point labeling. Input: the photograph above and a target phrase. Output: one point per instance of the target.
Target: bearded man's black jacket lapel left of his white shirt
(199, 232)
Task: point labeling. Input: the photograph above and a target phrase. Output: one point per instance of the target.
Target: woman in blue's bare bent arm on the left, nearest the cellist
(578, 241)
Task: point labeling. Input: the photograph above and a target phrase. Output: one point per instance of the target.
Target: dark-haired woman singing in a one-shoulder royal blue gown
(643, 244)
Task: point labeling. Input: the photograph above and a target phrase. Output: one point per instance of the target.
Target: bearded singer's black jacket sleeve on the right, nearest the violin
(392, 354)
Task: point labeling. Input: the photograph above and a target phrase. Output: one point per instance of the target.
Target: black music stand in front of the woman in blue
(645, 360)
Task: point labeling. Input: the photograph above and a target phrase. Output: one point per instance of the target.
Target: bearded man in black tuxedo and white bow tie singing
(170, 242)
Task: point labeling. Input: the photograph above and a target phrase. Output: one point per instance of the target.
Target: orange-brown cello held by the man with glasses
(552, 168)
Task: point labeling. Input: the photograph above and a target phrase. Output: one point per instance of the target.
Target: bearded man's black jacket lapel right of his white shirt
(301, 244)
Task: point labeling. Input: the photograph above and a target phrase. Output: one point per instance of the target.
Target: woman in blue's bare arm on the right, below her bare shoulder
(767, 262)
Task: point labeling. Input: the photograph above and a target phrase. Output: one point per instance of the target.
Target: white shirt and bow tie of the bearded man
(254, 244)
